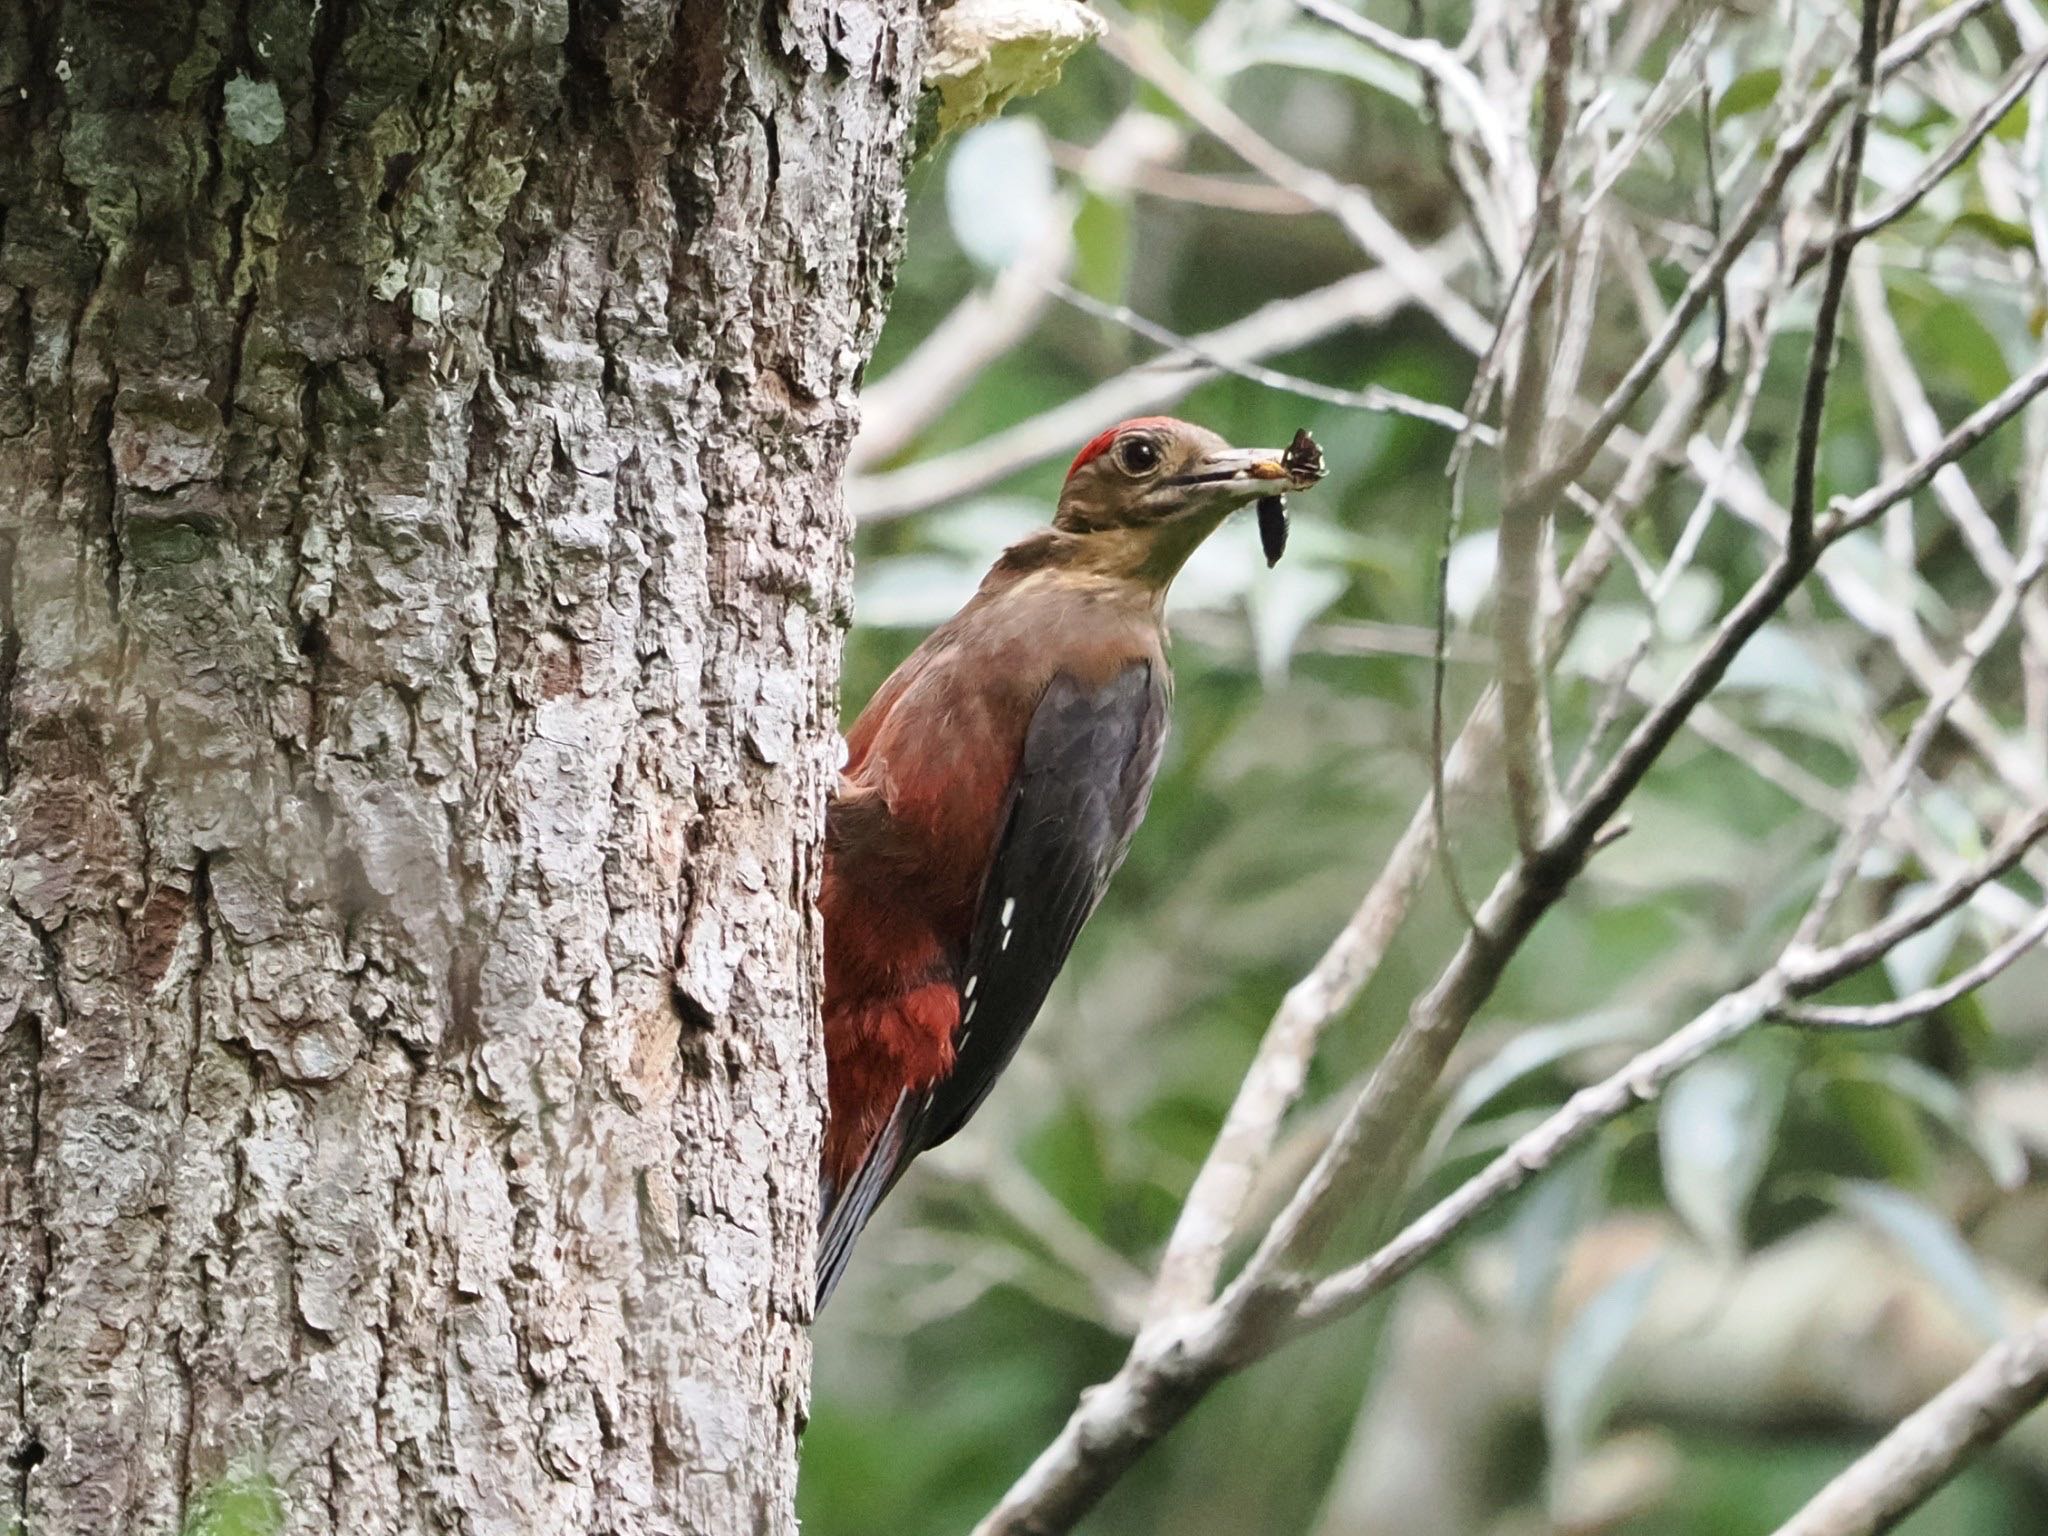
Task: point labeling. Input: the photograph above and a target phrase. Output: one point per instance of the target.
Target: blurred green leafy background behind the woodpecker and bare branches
(1689, 1328)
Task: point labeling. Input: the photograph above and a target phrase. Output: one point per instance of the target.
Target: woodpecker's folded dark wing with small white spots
(1078, 796)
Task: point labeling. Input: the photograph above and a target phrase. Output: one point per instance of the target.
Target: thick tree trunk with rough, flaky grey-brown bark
(421, 581)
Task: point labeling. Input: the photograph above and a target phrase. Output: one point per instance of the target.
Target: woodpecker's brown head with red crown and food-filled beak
(1144, 495)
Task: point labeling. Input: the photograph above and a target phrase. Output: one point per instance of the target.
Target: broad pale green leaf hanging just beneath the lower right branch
(1715, 1136)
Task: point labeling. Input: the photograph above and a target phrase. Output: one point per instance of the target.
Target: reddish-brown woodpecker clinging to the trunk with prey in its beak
(990, 792)
